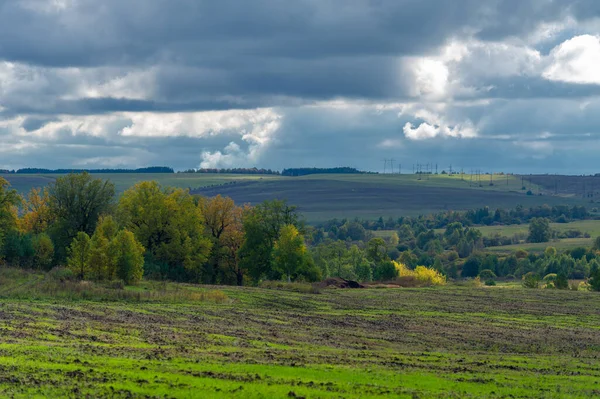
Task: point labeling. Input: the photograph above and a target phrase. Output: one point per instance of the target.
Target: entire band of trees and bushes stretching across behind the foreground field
(168, 234)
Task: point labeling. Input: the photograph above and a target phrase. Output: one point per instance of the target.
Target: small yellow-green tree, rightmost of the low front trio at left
(129, 257)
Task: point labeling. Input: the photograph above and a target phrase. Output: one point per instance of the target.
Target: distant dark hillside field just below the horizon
(323, 197)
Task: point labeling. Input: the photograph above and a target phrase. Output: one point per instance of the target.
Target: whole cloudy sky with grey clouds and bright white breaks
(496, 85)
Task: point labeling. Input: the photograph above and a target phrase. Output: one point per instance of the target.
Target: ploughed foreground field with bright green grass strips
(445, 342)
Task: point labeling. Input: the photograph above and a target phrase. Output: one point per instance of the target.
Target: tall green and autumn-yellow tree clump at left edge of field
(153, 231)
